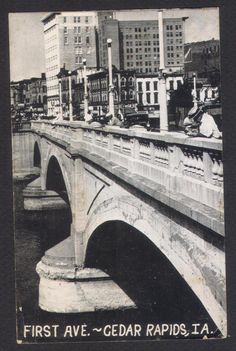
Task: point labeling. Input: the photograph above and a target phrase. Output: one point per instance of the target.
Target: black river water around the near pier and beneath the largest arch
(162, 297)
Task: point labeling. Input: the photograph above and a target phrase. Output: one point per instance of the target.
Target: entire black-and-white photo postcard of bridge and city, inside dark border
(118, 177)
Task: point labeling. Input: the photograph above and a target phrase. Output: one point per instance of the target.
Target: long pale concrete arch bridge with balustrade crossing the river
(167, 186)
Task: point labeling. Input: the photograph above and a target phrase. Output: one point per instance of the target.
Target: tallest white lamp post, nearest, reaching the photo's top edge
(162, 79)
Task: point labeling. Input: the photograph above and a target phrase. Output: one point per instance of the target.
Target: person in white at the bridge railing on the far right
(201, 123)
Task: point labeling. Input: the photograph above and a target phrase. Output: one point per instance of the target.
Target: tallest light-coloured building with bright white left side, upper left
(70, 37)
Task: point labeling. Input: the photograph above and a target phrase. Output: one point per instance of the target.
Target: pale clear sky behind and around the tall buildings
(27, 42)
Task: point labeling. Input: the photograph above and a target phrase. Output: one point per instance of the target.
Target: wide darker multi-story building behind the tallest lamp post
(136, 44)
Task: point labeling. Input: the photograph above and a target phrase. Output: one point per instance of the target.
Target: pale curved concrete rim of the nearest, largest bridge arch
(159, 231)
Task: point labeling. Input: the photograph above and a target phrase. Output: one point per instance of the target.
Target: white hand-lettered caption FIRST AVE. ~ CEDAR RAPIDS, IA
(117, 330)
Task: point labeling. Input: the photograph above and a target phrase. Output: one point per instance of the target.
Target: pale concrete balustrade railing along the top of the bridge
(190, 167)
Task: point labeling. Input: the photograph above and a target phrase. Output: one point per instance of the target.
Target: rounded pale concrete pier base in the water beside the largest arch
(65, 288)
